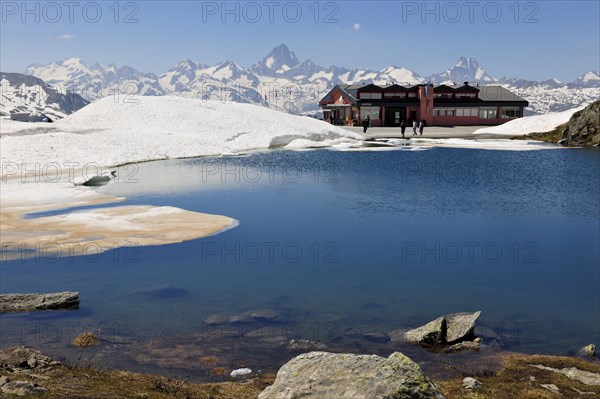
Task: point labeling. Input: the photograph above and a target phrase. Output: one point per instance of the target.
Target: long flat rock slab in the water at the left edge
(32, 302)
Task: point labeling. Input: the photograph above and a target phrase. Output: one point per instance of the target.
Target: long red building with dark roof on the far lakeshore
(443, 105)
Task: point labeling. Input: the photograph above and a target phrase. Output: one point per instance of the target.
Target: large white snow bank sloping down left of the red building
(110, 132)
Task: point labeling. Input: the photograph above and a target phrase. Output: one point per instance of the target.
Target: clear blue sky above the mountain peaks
(528, 39)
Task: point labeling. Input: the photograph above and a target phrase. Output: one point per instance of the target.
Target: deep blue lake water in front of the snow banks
(372, 241)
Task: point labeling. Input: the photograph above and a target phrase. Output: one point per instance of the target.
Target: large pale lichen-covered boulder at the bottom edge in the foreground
(322, 375)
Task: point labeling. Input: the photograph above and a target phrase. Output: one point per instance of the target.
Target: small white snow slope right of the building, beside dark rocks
(531, 124)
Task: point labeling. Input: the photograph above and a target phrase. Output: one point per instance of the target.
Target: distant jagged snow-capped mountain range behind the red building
(281, 81)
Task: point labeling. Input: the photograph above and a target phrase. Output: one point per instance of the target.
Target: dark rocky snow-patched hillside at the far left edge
(28, 95)
